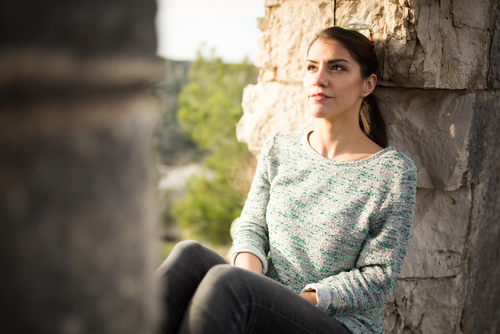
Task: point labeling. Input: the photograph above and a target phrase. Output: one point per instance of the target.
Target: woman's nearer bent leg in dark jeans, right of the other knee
(231, 300)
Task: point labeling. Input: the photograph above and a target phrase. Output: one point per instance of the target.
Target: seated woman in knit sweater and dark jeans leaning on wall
(327, 220)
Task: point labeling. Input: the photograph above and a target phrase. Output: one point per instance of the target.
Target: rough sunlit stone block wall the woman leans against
(439, 88)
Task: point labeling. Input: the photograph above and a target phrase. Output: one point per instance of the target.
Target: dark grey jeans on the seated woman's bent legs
(202, 293)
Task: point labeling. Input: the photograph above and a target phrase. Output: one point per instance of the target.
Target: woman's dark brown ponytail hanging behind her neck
(371, 121)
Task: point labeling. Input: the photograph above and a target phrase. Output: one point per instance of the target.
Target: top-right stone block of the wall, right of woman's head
(427, 44)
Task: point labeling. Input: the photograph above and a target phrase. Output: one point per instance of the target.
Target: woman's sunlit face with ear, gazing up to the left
(333, 82)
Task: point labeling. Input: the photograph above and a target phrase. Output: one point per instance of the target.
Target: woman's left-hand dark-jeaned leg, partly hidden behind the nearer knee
(180, 274)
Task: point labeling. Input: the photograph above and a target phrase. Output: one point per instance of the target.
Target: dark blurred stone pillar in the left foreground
(77, 187)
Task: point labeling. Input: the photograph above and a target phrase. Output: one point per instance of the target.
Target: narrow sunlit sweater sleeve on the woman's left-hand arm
(251, 235)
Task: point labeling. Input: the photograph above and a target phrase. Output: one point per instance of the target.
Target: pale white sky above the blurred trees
(229, 26)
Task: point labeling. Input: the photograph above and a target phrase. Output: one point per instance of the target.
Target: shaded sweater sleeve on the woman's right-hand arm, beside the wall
(381, 258)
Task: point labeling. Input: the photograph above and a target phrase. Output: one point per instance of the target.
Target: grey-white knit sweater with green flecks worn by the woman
(338, 228)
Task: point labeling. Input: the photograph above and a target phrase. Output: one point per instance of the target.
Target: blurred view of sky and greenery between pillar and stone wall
(208, 49)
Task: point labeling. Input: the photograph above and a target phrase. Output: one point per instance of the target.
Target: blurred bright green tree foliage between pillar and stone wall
(210, 107)
